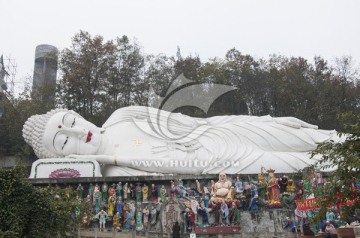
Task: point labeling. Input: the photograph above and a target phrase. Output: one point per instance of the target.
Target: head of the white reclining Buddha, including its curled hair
(61, 132)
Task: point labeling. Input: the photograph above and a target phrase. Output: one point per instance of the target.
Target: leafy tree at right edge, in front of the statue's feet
(344, 158)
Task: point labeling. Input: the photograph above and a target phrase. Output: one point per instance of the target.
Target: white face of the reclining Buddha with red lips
(66, 133)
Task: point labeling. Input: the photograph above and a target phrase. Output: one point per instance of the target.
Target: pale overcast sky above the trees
(207, 28)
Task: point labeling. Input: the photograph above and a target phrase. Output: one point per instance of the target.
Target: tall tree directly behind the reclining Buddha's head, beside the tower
(85, 68)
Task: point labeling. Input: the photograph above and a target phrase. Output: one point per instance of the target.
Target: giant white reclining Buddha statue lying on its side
(142, 141)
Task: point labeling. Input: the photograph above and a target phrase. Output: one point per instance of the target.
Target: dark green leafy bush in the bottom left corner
(27, 211)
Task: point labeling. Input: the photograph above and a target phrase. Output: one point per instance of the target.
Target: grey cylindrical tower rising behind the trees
(45, 68)
